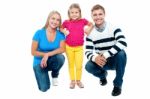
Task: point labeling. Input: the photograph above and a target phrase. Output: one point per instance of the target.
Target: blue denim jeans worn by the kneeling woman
(54, 64)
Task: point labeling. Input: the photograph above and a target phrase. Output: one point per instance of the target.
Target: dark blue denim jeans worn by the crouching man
(117, 62)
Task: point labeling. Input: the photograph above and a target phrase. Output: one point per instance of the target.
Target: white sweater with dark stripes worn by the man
(108, 42)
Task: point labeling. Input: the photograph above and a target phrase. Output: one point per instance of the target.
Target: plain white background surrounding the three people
(19, 19)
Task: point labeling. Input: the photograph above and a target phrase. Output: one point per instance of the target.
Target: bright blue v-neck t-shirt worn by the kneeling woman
(44, 45)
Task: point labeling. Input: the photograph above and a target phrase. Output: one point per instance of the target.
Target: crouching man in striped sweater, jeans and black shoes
(105, 50)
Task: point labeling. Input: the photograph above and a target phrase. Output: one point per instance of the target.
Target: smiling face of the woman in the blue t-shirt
(54, 21)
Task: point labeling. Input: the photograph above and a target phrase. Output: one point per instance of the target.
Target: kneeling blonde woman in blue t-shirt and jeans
(47, 47)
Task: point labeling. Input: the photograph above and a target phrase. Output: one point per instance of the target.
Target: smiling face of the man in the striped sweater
(98, 17)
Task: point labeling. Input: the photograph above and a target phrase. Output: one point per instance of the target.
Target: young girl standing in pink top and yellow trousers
(74, 31)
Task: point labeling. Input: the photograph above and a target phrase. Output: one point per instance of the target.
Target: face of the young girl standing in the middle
(74, 14)
